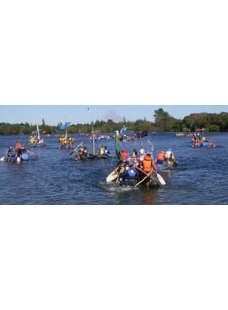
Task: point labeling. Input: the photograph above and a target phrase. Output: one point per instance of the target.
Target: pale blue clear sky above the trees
(53, 114)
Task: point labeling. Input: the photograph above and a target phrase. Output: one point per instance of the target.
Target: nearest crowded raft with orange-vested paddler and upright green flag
(129, 170)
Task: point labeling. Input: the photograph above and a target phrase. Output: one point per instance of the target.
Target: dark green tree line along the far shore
(163, 122)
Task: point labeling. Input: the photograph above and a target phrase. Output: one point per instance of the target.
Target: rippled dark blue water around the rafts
(55, 178)
